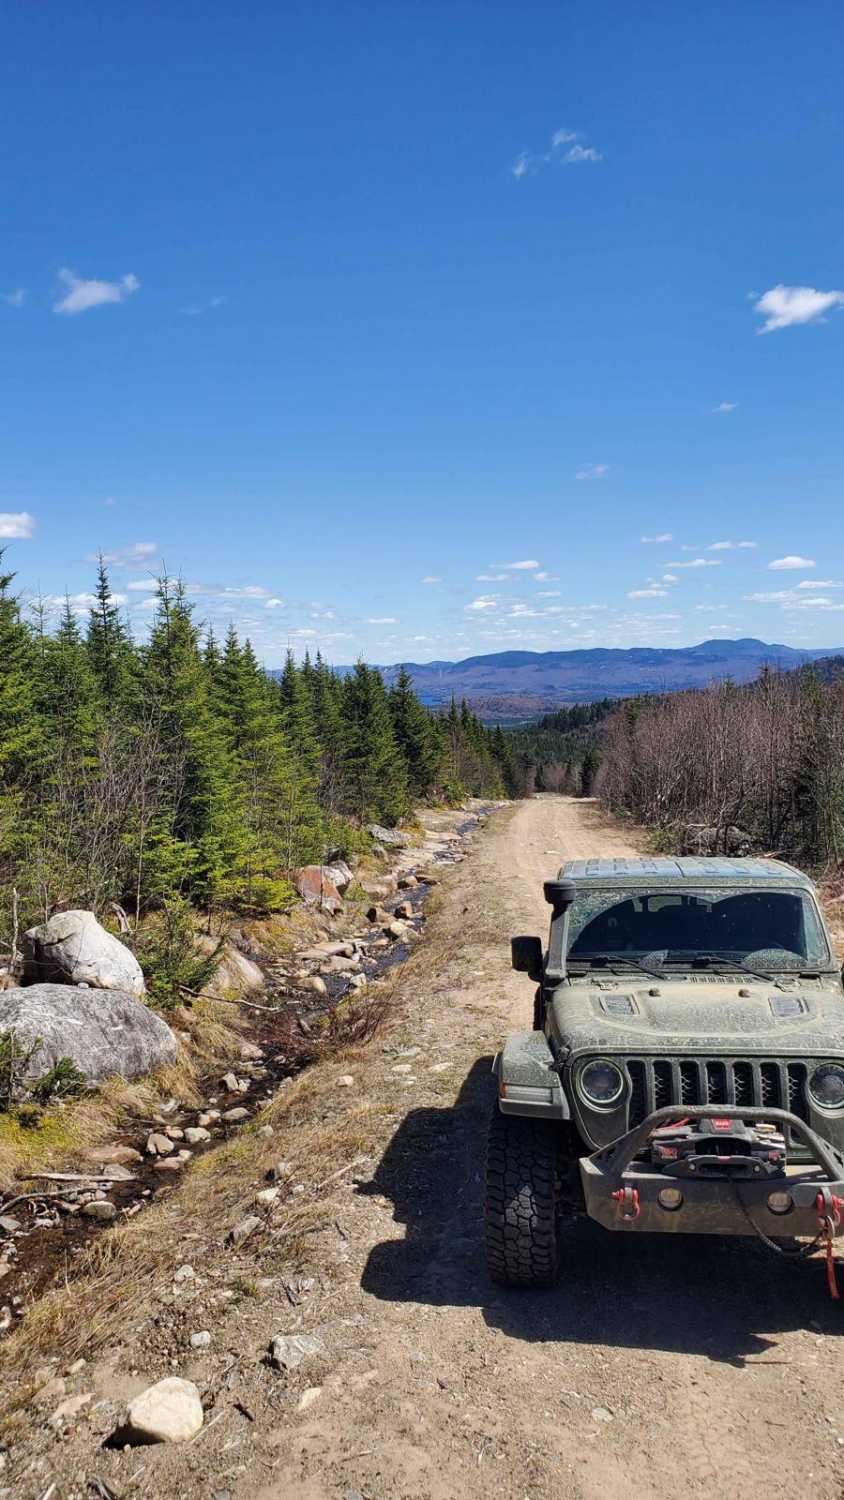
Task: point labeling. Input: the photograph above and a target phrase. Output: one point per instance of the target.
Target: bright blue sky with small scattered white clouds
(397, 328)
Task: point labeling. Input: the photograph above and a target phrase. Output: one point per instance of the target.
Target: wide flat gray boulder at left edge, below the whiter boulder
(104, 1033)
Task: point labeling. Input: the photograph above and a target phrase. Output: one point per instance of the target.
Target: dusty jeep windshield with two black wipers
(749, 929)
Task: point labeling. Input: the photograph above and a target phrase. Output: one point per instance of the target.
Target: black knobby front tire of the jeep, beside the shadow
(522, 1204)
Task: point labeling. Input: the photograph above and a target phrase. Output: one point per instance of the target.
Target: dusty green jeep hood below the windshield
(737, 1016)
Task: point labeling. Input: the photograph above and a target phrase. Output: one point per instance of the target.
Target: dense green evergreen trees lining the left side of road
(179, 769)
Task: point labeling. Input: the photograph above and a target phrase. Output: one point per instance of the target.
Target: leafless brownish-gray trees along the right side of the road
(767, 758)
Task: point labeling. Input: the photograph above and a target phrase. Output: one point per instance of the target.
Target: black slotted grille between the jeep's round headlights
(657, 1082)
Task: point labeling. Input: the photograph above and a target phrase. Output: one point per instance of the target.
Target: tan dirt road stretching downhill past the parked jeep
(663, 1369)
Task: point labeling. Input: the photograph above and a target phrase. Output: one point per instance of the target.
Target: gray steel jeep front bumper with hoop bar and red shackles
(623, 1193)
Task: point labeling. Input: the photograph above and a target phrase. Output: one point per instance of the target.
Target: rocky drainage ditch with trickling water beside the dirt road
(50, 1222)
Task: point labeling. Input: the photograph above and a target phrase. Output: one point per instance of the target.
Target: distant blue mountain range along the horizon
(515, 685)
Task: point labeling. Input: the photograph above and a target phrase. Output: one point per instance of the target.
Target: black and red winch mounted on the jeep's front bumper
(719, 1148)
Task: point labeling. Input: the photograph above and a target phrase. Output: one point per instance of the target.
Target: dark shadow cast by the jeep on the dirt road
(725, 1300)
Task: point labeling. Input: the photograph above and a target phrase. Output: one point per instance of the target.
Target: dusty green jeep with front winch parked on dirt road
(686, 1070)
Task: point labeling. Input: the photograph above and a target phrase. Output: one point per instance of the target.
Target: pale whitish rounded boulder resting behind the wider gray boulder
(73, 949)
